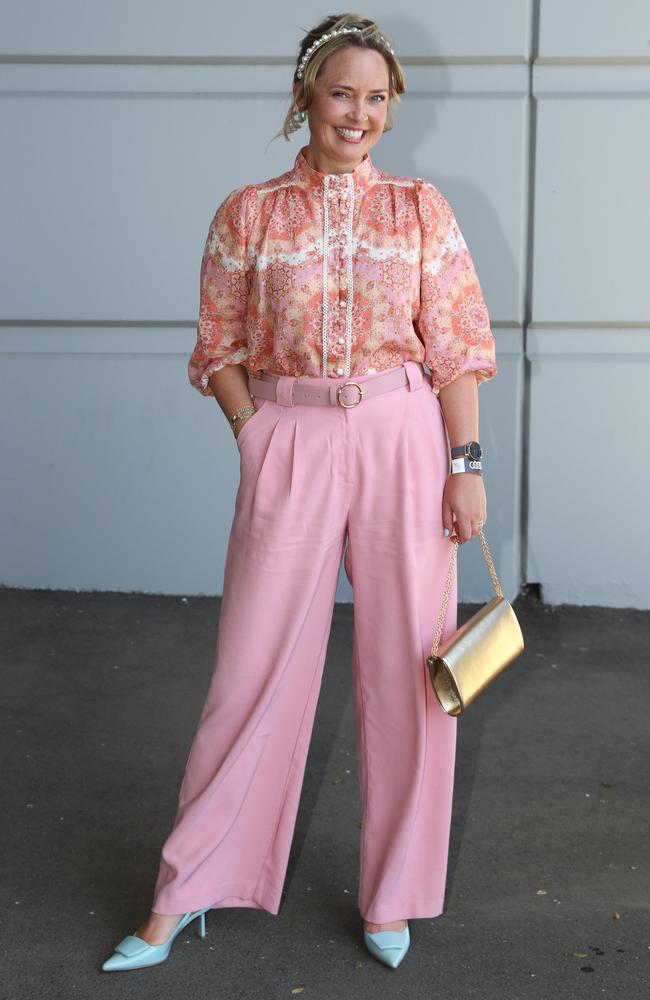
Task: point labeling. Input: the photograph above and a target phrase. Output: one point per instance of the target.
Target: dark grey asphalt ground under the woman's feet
(548, 890)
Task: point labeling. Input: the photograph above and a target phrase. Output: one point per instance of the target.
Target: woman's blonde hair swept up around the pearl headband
(368, 37)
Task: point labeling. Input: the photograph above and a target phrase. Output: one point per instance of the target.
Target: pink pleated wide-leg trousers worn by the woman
(312, 478)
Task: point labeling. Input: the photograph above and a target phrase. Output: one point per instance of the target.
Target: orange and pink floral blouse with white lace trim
(334, 275)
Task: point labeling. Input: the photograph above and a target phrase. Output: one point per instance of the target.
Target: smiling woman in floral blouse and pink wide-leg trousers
(323, 291)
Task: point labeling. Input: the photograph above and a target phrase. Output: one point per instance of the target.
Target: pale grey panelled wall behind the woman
(124, 128)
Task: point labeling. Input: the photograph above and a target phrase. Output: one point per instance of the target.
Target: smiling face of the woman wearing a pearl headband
(351, 94)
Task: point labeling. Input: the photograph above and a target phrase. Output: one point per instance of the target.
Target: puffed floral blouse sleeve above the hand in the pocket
(221, 335)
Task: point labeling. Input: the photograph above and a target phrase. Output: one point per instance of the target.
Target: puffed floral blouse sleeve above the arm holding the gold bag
(453, 321)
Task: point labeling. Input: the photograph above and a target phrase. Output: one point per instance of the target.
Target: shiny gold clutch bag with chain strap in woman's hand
(478, 651)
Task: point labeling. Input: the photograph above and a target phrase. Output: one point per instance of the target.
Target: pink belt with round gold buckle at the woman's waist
(292, 389)
